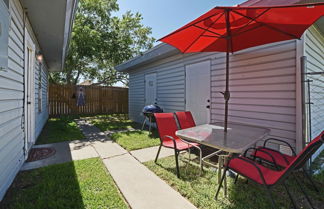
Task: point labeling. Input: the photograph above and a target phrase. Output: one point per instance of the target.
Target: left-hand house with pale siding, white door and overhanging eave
(26, 33)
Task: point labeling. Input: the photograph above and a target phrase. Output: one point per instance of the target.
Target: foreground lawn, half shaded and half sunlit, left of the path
(81, 184)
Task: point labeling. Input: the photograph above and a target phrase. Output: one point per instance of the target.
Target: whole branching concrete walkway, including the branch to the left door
(141, 188)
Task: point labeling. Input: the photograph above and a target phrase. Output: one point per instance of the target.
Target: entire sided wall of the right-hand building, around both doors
(262, 82)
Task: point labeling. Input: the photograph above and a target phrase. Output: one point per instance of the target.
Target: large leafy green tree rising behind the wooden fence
(101, 41)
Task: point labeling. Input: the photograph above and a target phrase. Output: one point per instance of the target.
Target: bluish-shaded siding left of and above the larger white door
(170, 84)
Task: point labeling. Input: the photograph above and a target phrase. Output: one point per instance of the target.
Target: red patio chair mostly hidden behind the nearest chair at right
(282, 160)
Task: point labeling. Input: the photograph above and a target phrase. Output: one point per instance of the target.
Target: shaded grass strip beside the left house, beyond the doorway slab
(59, 130)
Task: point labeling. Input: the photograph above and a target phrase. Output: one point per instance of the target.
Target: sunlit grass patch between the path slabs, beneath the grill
(133, 140)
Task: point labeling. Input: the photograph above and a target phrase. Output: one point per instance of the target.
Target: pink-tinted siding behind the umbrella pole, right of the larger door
(262, 85)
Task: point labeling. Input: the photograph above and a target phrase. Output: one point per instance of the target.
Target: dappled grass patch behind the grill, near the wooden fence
(114, 123)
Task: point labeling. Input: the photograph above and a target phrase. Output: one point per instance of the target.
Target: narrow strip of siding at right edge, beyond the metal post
(314, 51)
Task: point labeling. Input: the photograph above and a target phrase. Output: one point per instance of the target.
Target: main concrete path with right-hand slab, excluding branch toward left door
(141, 188)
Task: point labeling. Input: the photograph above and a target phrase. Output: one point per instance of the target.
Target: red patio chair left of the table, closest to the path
(167, 127)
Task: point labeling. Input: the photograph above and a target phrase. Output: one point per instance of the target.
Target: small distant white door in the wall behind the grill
(150, 89)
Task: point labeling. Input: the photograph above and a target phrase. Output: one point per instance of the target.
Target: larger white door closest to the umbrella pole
(198, 91)
